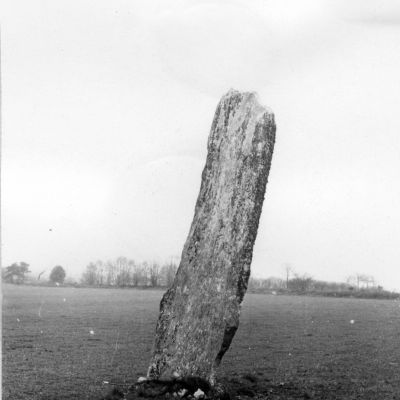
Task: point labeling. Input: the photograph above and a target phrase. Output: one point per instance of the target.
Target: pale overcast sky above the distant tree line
(107, 107)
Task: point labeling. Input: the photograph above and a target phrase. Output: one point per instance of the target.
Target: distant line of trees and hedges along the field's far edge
(124, 272)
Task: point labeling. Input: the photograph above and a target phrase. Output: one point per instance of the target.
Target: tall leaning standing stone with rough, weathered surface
(199, 314)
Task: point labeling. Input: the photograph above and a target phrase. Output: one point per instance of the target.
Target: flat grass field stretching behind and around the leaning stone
(67, 343)
